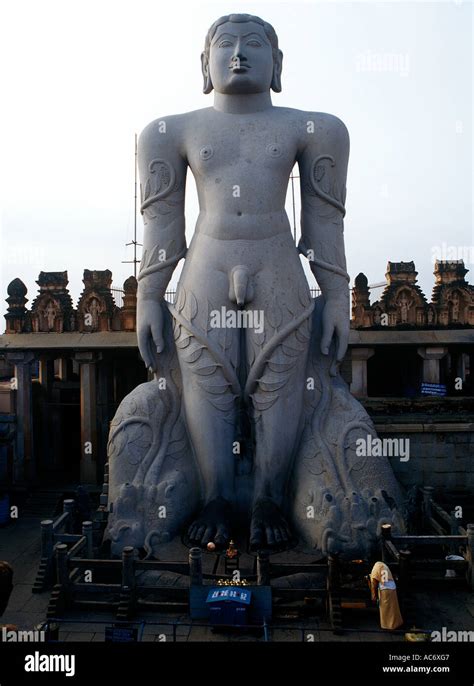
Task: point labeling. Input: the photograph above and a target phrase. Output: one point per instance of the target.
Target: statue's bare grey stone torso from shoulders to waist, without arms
(242, 164)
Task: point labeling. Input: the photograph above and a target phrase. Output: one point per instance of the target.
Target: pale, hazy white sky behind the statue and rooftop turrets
(80, 79)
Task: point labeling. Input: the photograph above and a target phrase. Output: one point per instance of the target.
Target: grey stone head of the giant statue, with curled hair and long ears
(241, 55)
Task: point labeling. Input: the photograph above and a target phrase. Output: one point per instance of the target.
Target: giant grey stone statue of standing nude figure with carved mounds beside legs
(247, 425)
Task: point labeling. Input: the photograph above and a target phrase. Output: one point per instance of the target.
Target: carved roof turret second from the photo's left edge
(52, 309)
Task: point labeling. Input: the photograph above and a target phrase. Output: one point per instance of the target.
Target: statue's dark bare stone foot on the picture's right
(268, 528)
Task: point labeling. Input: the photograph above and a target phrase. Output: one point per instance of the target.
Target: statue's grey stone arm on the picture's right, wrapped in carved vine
(323, 170)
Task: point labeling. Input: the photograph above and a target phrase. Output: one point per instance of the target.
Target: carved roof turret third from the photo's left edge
(96, 309)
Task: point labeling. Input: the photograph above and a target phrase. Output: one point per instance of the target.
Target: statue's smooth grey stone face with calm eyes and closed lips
(241, 59)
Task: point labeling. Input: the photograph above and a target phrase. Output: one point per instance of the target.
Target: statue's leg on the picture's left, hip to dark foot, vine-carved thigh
(208, 358)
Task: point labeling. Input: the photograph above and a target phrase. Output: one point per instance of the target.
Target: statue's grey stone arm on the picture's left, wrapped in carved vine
(162, 168)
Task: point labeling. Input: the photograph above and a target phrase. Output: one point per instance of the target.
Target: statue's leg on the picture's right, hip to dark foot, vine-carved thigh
(275, 385)
